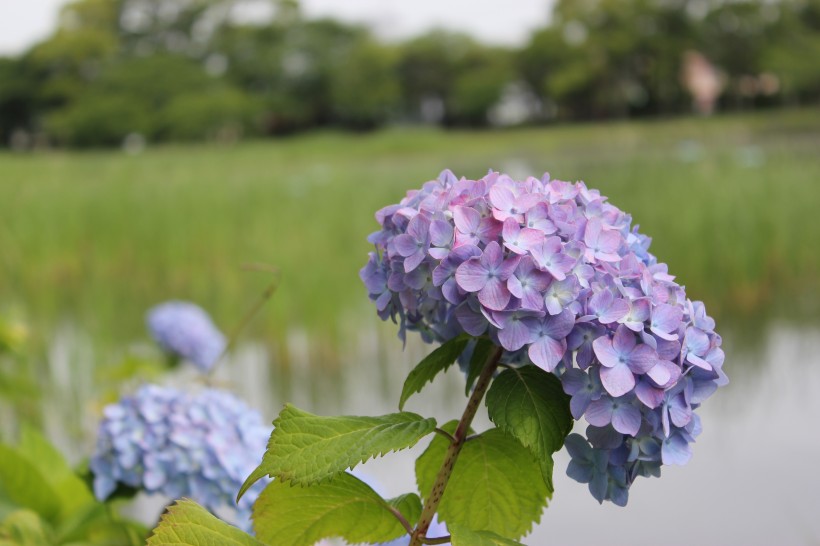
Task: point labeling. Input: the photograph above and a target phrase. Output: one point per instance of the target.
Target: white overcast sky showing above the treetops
(24, 22)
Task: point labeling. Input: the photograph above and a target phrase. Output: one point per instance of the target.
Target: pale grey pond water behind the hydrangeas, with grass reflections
(754, 477)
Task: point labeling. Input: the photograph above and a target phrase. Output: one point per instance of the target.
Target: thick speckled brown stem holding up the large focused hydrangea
(459, 437)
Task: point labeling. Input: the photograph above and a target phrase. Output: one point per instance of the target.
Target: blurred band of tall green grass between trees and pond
(96, 238)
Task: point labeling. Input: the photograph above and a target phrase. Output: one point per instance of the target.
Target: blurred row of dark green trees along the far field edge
(135, 71)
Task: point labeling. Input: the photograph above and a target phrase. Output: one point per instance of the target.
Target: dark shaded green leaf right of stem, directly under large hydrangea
(530, 404)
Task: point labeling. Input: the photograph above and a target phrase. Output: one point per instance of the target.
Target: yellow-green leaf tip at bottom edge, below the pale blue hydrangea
(187, 523)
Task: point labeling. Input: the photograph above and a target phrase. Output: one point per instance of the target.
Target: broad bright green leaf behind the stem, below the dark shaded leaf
(495, 486)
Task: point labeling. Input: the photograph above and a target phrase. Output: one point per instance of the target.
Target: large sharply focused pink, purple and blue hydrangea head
(555, 274)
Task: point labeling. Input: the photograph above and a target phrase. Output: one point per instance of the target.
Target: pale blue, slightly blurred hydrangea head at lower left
(200, 445)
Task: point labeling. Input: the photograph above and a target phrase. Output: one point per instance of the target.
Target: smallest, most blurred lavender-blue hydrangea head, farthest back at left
(184, 330)
